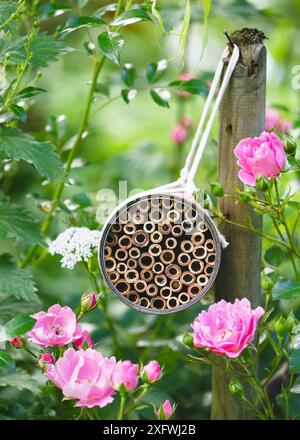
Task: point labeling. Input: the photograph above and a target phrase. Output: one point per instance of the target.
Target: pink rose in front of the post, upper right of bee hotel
(260, 156)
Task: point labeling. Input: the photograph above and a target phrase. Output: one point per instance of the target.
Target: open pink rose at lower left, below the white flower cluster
(57, 326)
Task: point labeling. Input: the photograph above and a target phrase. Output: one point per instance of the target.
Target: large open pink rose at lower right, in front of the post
(226, 328)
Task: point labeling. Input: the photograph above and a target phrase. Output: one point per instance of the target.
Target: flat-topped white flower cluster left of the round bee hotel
(74, 244)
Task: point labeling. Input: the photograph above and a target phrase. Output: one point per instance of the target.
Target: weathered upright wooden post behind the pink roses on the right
(242, 114)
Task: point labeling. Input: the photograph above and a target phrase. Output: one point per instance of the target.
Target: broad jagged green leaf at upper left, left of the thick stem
(43, 49)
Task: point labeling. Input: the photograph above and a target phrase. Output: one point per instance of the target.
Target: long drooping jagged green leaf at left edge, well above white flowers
(17, 145)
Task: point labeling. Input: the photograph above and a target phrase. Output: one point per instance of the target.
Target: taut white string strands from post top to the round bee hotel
(188, 172)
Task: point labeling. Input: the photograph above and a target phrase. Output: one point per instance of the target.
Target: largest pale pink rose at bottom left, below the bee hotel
(85, 376)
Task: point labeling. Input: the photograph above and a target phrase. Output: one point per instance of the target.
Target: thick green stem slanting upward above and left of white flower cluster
(97, 67)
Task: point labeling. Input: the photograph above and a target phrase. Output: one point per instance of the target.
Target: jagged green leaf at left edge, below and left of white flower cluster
(16, 282)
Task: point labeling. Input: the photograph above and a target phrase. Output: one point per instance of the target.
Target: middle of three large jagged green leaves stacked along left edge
(17, 222)
